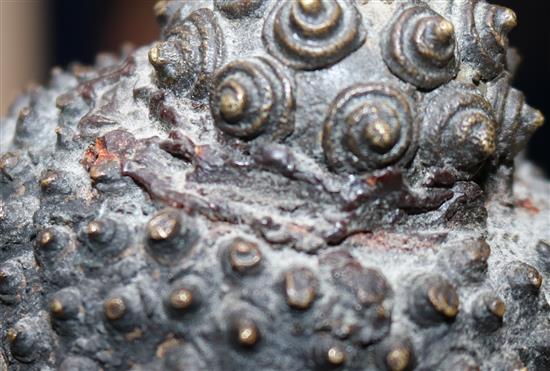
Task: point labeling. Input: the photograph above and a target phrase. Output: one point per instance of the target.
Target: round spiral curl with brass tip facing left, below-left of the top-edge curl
(251, 97)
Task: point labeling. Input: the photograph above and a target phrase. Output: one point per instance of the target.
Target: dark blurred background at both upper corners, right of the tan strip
(81, 28)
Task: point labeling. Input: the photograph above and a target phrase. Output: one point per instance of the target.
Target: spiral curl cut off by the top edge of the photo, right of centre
(313, 34)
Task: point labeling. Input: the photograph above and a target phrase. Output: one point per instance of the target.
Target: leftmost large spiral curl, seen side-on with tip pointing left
(193, 49)
